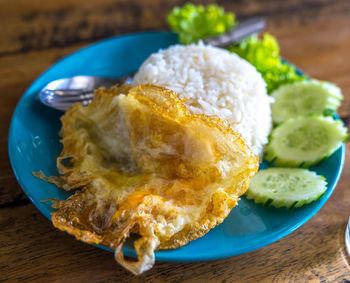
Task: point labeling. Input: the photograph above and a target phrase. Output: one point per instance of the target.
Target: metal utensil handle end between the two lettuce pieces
(244, 29)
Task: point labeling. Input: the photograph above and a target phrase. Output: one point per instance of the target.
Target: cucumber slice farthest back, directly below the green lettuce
(304, 98)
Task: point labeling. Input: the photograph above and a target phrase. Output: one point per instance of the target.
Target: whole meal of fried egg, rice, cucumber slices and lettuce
(163, 160)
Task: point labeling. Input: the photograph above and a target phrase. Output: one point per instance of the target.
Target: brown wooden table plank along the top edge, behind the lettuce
(38, 24)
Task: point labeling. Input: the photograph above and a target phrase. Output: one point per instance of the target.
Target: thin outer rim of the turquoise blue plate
(278, 235)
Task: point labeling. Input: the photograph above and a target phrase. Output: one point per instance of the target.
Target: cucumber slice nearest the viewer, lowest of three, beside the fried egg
(286, 187)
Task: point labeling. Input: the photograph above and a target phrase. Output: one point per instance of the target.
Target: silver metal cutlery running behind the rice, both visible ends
(61, 94)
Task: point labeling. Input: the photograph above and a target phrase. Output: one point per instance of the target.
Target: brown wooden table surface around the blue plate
(315, 35)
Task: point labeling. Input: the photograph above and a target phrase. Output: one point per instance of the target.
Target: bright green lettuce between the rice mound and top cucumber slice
(264, 54)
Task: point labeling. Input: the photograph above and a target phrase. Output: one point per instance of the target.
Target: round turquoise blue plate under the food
(34, 145)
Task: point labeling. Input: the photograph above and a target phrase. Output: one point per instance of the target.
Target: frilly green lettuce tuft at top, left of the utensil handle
(195, 22)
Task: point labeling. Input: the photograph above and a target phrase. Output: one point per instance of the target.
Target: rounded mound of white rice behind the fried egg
(214, 82)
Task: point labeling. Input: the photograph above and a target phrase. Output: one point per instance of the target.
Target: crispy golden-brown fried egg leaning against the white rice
(141, 163)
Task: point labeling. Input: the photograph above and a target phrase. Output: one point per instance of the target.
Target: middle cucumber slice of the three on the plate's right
(304, 141)
